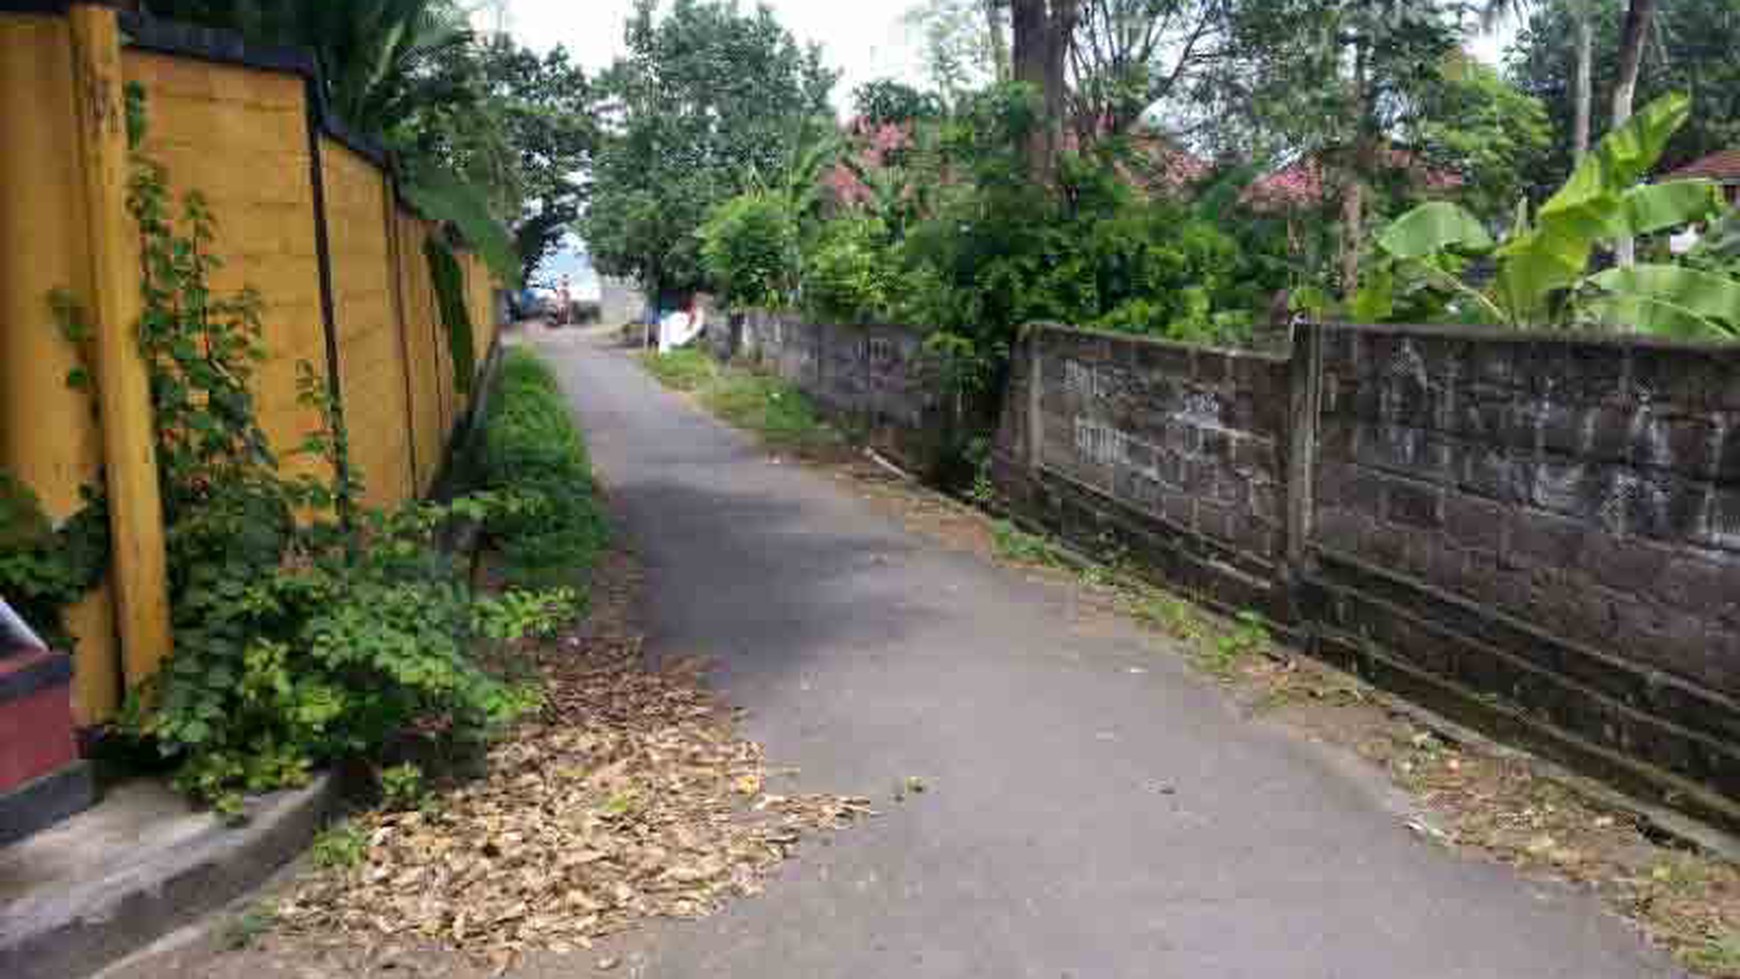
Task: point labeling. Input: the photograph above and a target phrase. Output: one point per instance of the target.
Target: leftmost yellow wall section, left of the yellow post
(50, 434)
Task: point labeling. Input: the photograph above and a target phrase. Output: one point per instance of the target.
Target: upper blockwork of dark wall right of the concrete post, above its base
(1579, 486)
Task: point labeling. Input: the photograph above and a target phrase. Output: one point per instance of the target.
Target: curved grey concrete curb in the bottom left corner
(79, 929)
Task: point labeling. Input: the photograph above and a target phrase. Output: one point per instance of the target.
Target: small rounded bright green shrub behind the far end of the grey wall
(749, 248)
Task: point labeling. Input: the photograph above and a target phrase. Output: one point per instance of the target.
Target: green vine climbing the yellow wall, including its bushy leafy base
(300, 639)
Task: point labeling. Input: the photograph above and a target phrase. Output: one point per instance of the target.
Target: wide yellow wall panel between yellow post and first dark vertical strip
(241, 138)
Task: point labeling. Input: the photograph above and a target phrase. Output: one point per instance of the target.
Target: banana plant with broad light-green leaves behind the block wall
(1544, 274)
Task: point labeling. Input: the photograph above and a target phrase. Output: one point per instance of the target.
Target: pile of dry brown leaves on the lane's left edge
(629, 797)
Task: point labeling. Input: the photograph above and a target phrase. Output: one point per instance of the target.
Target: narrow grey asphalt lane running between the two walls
(1083, 820)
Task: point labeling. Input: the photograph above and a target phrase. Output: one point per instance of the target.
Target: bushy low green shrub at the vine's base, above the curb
(335, 655)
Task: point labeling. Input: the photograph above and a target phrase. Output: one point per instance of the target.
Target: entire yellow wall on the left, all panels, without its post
(239, 137)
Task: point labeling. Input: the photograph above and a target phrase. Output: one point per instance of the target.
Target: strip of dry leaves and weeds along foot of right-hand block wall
(1469, 796)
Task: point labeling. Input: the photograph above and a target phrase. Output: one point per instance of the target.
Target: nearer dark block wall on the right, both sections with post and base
(1536, 535)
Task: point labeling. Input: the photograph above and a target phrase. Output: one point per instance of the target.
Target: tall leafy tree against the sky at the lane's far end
(707, 103)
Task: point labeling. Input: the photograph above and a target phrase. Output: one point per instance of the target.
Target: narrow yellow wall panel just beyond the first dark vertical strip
(370, 347)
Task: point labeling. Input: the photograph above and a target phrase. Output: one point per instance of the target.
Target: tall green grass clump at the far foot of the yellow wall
(533, 450)
